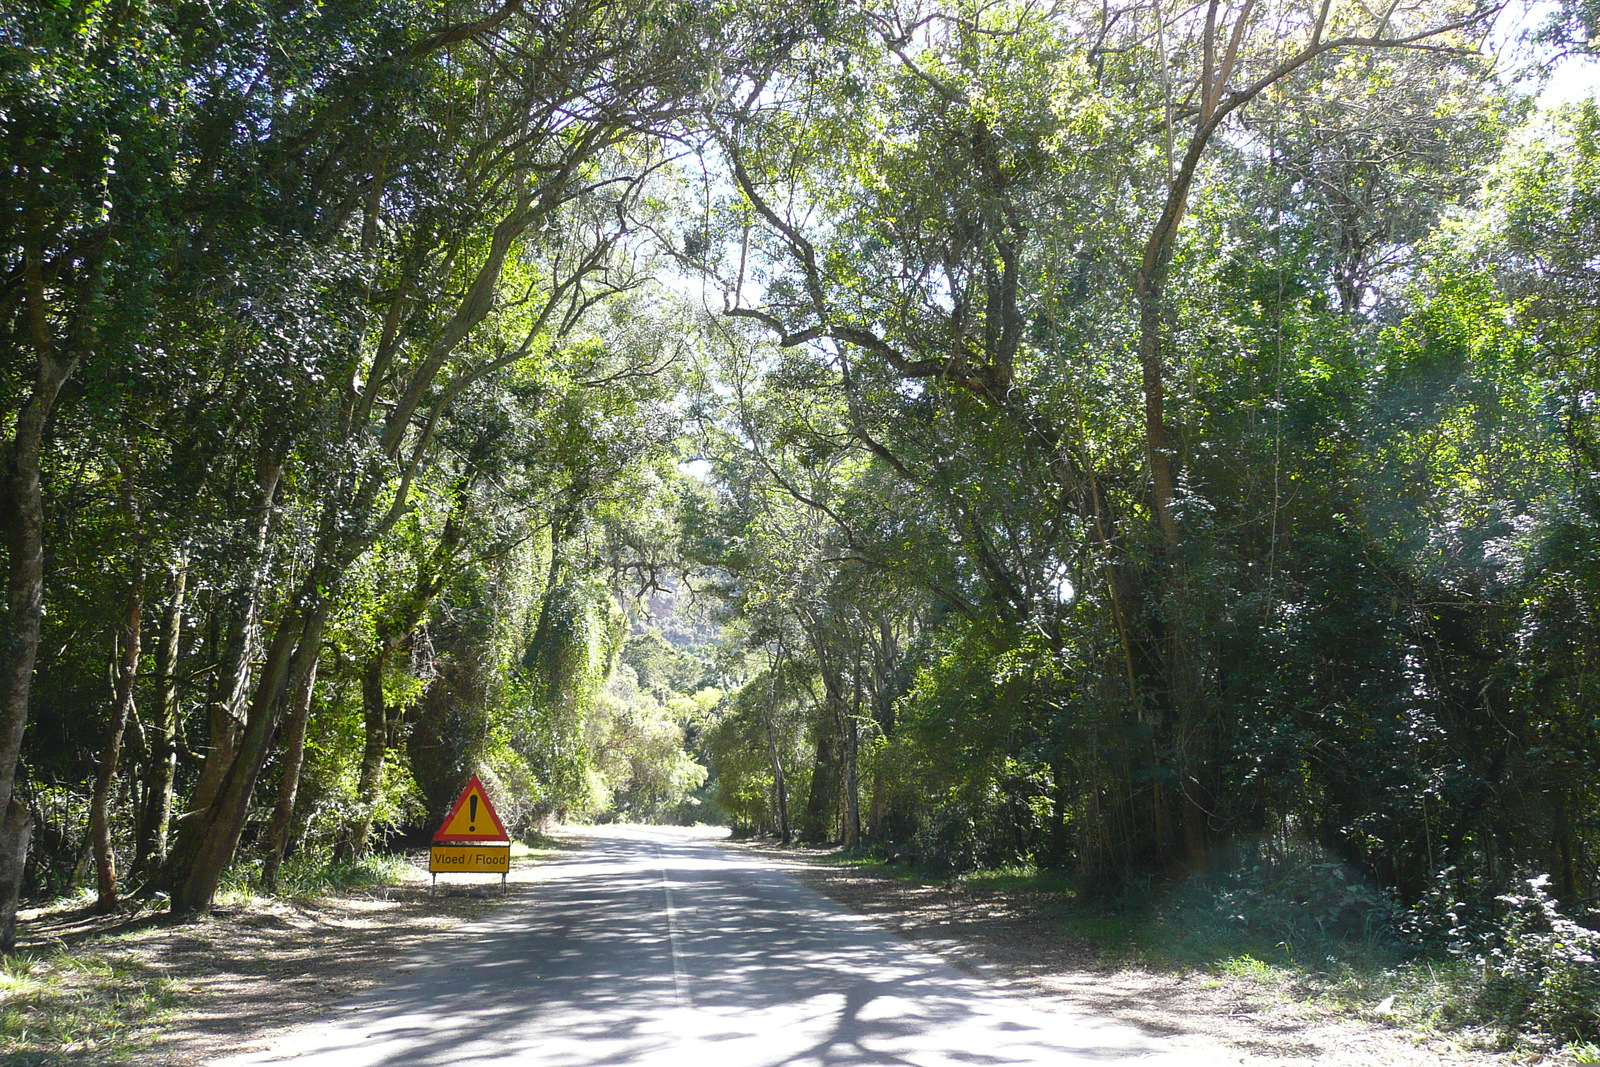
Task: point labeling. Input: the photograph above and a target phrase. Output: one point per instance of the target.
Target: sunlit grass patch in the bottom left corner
(78, 1007)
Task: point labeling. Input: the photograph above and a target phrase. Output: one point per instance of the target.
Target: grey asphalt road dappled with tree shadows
(655, 948)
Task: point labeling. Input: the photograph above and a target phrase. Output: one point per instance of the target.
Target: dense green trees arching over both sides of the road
(1142, 441)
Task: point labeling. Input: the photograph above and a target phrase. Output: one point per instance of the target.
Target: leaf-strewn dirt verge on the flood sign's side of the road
(148, 993)
